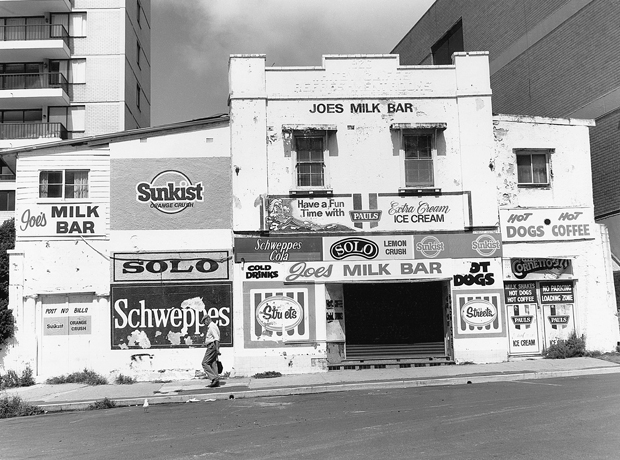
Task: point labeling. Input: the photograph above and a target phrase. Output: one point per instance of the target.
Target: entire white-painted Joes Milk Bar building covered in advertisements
(359, 270)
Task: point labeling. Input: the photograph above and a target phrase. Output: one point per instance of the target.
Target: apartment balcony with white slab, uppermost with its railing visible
(34, 43)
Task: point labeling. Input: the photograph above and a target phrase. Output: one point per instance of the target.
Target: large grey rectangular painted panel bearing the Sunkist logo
(170, 193)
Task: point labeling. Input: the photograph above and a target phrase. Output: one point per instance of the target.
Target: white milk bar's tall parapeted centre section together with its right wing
(353, 103)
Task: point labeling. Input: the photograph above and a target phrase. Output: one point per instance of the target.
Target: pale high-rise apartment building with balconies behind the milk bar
(70, 69)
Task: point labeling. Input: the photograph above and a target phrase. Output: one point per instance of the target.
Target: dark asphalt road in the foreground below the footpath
(569, 418)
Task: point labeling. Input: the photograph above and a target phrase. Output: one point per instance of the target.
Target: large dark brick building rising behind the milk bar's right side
(557, 58)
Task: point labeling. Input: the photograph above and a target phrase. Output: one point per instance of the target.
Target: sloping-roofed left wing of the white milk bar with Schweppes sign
(62, 285)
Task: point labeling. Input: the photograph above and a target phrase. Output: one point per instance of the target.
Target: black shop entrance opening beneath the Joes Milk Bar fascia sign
(393, 313)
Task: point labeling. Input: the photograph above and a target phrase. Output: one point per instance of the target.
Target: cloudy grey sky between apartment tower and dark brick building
(191, 41)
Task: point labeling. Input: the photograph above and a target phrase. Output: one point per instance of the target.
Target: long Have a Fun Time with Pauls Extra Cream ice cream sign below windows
(376, 212)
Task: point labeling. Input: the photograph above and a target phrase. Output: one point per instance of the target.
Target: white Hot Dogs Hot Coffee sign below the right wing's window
(551, 224)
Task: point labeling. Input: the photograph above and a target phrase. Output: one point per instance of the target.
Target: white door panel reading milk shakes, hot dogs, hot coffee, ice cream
(521, 305)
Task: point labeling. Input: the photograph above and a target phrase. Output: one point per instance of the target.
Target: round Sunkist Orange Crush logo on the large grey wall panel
(170, 192)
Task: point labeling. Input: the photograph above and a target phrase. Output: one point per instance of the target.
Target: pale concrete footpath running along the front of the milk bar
(71, 396)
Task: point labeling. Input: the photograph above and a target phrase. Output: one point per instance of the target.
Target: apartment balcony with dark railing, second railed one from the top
(32, 90)
